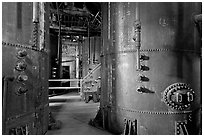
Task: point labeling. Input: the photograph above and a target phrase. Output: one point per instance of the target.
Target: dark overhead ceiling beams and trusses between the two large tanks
(75, 18)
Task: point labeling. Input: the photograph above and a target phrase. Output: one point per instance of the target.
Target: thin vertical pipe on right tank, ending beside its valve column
(137, 36)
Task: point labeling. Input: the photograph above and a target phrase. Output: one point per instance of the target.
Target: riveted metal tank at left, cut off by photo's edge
(25, 45)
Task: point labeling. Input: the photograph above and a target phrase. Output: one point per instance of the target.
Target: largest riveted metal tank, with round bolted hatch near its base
(151, 68)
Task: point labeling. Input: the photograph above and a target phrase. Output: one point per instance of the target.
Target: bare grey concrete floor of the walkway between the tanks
(74, 115)
